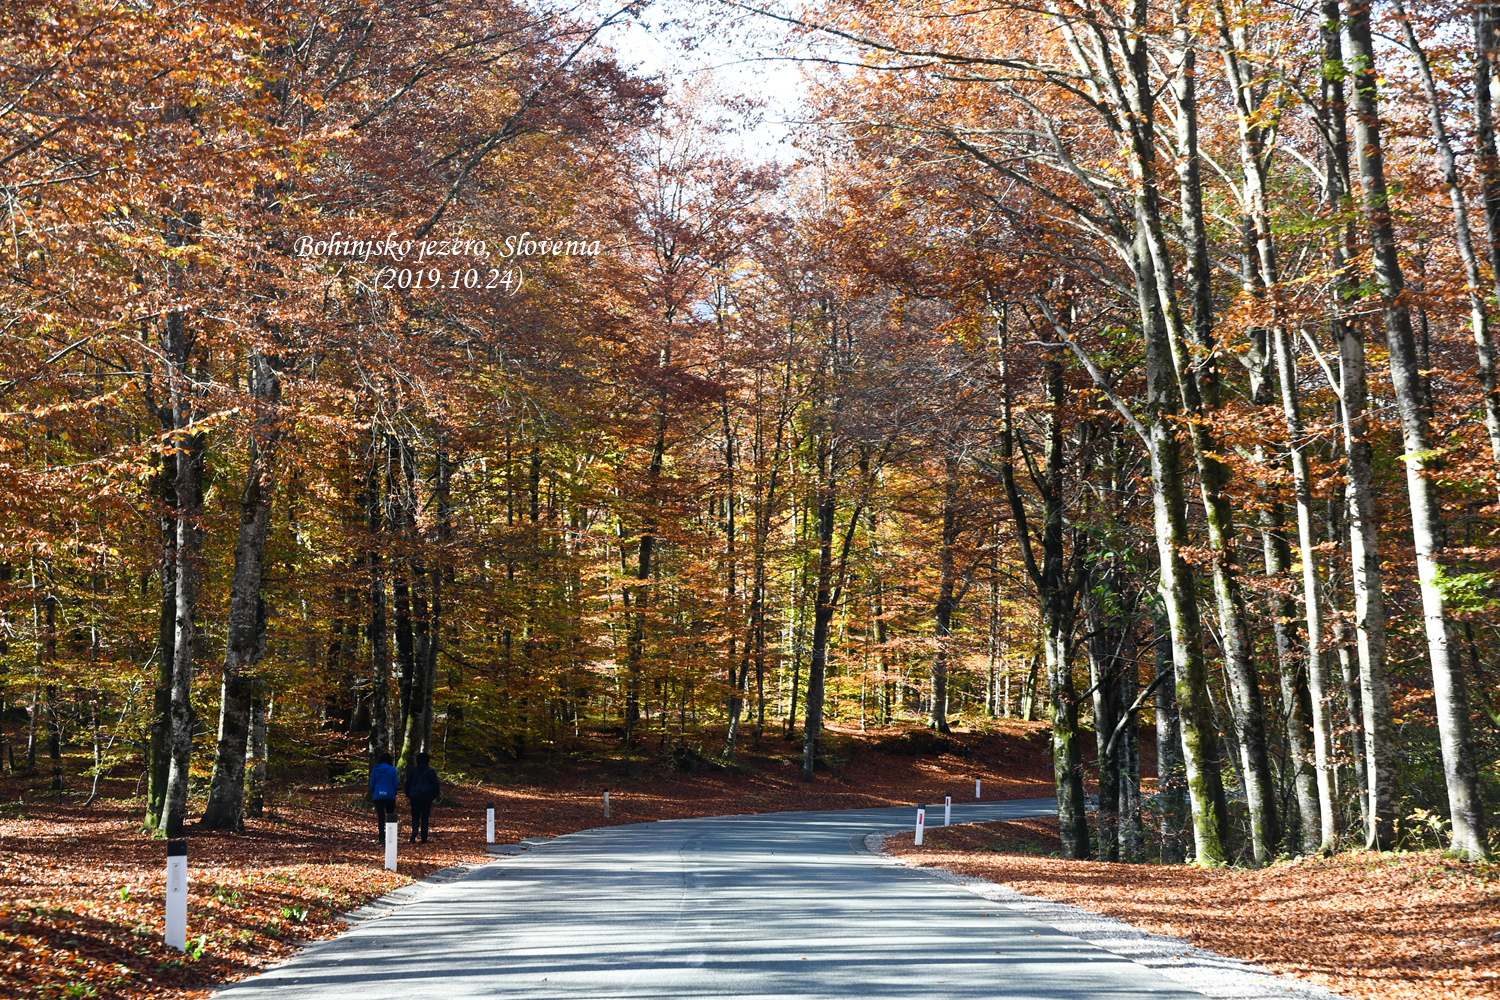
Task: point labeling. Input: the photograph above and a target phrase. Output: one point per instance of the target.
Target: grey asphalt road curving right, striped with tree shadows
(787, 905)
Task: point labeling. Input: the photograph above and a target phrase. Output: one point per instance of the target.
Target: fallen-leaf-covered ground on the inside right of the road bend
(1408, 926)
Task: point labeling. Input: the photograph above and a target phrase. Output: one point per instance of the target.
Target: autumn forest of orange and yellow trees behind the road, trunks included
(421, 377)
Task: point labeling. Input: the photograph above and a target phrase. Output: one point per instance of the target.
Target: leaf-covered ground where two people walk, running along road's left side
(82, 888)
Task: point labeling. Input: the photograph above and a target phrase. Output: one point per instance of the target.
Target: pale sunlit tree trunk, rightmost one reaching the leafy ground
(1423, 460)
